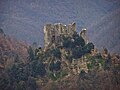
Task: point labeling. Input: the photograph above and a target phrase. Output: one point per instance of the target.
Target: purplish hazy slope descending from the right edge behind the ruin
(106, 32)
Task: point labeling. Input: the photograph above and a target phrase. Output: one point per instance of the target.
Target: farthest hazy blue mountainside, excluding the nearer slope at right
(23, 18)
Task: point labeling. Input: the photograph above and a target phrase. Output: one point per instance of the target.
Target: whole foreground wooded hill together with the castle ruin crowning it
(65, 63)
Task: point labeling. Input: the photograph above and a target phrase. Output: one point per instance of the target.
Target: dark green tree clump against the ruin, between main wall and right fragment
(77, 45)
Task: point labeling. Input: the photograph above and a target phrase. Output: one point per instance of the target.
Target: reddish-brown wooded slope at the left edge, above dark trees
(11, 48)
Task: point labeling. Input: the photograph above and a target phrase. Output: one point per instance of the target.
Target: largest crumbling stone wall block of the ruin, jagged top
(54, 32)
